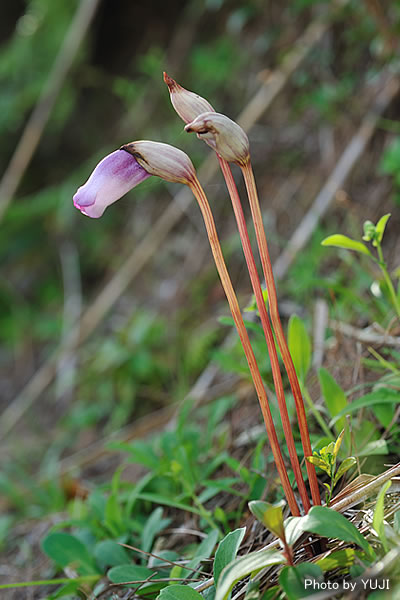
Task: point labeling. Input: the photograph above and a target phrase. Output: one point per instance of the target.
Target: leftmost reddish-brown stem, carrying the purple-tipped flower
(244, 338)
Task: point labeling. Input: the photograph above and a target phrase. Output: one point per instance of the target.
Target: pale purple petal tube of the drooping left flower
(113, 177)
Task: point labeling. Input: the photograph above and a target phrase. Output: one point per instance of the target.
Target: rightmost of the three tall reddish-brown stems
(277, 325)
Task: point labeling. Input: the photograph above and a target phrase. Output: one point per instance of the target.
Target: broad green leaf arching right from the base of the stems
(331, 524)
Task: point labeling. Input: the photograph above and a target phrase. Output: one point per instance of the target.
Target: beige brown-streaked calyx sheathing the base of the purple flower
(163, 160)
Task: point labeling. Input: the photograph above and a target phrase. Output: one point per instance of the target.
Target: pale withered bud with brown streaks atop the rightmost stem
(224, 135)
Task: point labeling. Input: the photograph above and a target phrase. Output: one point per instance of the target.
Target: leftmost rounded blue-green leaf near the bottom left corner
(65, 549)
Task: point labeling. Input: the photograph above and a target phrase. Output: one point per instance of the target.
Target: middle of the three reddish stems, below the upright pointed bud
(276, 373)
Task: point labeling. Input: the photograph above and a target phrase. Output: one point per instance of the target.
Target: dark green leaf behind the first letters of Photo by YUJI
(293, 580)
